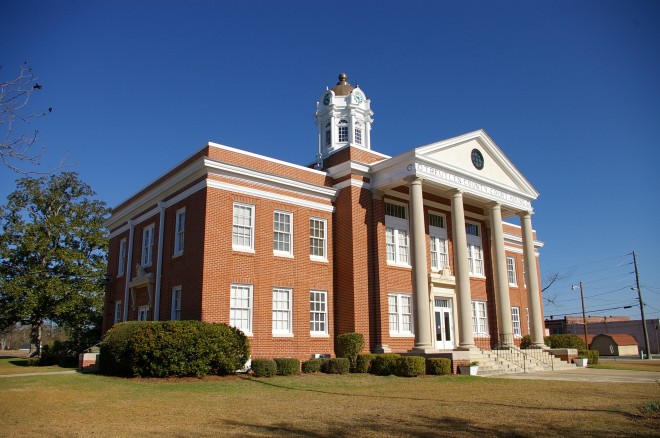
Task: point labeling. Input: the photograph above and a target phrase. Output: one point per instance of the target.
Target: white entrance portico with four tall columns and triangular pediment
(469, 170)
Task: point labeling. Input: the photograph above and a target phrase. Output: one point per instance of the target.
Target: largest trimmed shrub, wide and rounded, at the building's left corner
(172, 348)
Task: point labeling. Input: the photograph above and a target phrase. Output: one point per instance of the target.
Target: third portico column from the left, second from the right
(501, 277)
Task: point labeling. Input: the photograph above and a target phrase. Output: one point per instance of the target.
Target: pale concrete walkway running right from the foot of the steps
(588, 375)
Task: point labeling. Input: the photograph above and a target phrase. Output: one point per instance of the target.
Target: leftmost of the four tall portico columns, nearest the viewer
(423, 338)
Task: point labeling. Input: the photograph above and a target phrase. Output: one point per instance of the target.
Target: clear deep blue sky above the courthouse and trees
(570, 90)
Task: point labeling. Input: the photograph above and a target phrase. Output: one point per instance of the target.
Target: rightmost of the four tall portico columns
(531, 276)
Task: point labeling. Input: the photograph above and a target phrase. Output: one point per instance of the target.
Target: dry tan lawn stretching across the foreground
(323, 405)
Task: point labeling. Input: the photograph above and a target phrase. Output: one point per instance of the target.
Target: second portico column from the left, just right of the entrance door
(462, 272)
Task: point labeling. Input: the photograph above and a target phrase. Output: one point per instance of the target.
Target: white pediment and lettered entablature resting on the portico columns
(448, 164)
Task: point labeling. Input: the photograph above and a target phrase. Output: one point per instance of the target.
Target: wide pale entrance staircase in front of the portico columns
(516, 361)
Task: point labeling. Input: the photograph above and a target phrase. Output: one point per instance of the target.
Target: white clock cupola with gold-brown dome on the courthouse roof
(343, 117)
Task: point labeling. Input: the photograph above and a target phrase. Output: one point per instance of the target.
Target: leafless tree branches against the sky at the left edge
(18, 138)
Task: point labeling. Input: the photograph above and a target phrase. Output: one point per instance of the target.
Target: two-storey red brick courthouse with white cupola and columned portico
(412, 251)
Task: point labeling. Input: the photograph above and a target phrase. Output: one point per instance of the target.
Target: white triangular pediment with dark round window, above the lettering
(456, 156)
